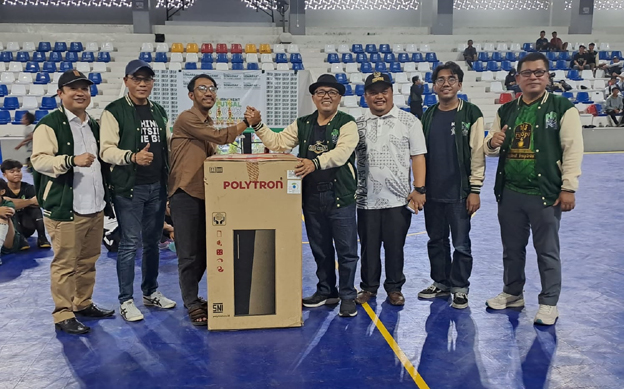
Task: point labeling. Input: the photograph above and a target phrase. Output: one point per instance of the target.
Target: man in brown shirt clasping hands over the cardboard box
(191, 144)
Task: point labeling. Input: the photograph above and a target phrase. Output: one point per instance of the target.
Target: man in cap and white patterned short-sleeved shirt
(391, 141)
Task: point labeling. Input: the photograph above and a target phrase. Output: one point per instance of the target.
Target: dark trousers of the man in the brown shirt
(189, 218)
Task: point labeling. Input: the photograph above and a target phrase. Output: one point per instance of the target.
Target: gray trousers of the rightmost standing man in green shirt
(518, 215)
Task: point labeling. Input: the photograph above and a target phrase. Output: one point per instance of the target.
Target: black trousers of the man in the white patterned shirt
(388, 227)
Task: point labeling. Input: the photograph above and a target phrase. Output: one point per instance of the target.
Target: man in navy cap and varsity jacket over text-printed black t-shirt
(134, 141)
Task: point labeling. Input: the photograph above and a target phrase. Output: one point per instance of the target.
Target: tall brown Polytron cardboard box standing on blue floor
(253, 241)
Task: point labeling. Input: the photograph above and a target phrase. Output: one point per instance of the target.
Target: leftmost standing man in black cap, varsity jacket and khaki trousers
(71, 187)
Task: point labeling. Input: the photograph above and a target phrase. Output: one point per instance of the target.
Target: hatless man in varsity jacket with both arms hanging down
(455, 171)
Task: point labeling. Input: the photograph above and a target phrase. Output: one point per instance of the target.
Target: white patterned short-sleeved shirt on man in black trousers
(383, 154)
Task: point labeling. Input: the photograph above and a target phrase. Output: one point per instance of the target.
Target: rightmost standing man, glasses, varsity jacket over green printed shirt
(539, 140)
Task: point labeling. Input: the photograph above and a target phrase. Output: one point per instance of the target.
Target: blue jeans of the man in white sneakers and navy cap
(140, 219)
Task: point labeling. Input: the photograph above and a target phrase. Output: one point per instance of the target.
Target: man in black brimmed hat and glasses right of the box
(326, 141)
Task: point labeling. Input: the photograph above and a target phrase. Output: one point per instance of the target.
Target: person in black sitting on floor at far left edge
(28, 217)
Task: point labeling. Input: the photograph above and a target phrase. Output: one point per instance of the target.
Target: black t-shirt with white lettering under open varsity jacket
(150, 133)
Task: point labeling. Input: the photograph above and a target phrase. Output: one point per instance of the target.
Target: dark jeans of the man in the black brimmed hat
(325, 222)
